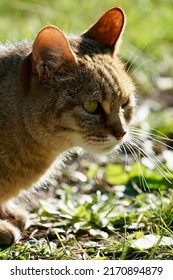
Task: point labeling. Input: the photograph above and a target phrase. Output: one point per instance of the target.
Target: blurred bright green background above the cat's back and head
(148, 37)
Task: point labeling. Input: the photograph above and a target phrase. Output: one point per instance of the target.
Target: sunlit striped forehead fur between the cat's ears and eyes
(104, 78)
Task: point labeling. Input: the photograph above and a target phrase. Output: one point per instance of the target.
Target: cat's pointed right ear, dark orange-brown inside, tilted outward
(108, 28)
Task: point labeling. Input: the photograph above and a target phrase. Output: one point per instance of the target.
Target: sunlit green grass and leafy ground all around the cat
(103, 206)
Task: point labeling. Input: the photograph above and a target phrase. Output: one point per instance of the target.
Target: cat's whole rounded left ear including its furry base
(52, 48)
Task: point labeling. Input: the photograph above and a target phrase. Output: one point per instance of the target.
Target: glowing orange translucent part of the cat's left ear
(51, 41)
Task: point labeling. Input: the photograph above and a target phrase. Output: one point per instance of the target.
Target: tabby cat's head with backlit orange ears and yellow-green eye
(91, 96)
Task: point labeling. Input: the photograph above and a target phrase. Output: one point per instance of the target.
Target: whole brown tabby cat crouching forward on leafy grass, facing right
(56, 93)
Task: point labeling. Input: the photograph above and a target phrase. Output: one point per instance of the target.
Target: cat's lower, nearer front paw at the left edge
(9, 234)
